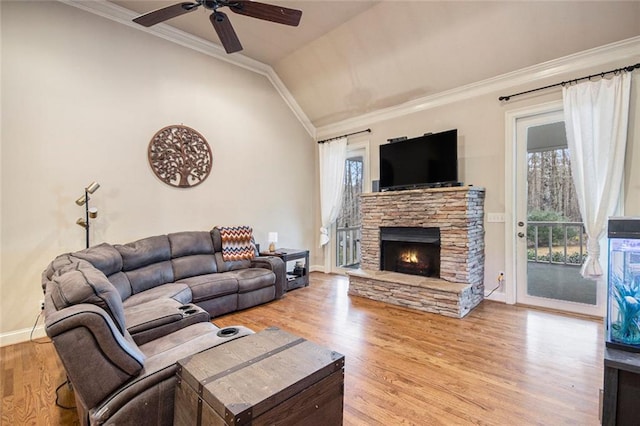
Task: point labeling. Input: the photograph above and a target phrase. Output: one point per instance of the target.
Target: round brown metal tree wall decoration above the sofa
(180, 156)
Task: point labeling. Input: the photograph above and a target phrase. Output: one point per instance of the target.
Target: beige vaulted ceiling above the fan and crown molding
(348, 58)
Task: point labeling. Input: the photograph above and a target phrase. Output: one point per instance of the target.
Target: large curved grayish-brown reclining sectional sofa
(120, 316)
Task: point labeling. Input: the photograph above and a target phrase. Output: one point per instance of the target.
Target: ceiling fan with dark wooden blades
(220, 21)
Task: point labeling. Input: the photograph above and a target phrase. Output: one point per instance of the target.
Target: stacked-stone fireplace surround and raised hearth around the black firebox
(459, 213)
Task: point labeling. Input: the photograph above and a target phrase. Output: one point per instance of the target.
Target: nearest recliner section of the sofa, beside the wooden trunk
(116, 381)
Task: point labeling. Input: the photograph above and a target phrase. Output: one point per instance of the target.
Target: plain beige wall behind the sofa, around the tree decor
(81, 98)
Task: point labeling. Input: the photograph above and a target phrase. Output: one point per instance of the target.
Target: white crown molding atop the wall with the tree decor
(125, 16)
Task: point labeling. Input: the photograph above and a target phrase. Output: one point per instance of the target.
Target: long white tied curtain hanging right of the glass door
(596, 116)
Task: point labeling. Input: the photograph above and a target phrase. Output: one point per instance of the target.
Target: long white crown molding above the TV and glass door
(629, 48)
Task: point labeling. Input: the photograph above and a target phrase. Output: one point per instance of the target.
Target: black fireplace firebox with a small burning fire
(410, 250)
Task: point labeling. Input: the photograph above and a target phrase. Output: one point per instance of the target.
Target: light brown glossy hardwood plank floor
(501, 365)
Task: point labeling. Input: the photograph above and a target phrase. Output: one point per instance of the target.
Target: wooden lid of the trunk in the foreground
(246, 377)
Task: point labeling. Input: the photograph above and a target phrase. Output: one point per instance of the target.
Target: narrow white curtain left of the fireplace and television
(332, 157)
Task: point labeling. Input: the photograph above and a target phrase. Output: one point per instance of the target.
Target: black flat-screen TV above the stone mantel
(425, 161)
